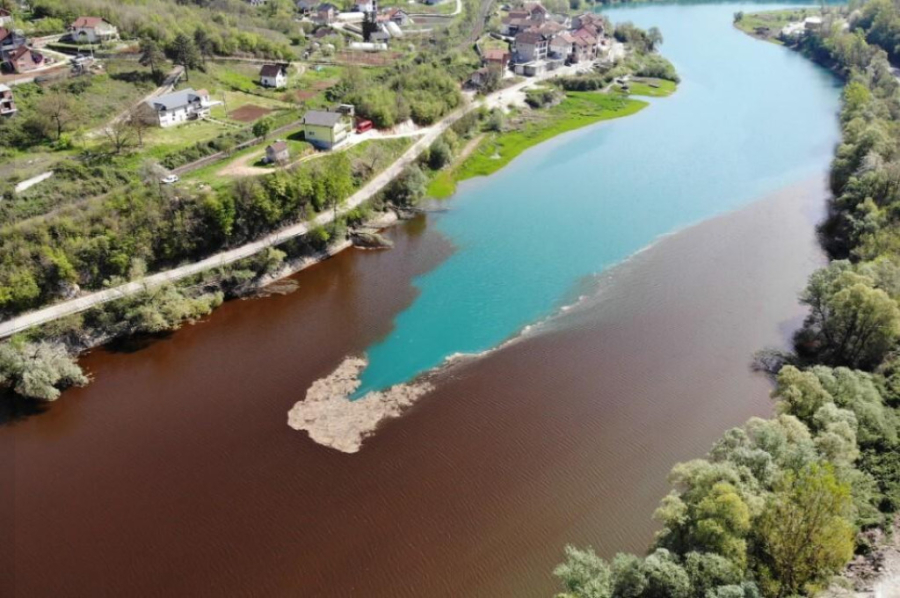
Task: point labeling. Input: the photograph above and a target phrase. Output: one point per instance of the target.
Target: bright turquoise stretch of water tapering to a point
(749, 118)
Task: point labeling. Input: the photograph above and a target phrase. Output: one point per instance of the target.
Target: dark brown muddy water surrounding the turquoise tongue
(175, 473)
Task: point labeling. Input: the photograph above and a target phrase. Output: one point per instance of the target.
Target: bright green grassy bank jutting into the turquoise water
(578, 109)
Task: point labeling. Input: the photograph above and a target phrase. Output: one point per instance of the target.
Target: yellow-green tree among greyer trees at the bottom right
(805, 532)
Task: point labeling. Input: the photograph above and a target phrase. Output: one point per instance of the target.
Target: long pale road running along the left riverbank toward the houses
(73, 306)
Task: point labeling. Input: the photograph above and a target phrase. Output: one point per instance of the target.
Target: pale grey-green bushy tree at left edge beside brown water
(38, 370)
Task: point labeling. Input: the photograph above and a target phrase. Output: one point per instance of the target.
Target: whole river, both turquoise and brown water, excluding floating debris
(175, 474)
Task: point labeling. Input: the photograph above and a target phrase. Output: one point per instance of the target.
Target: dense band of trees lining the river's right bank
(775, 508)
